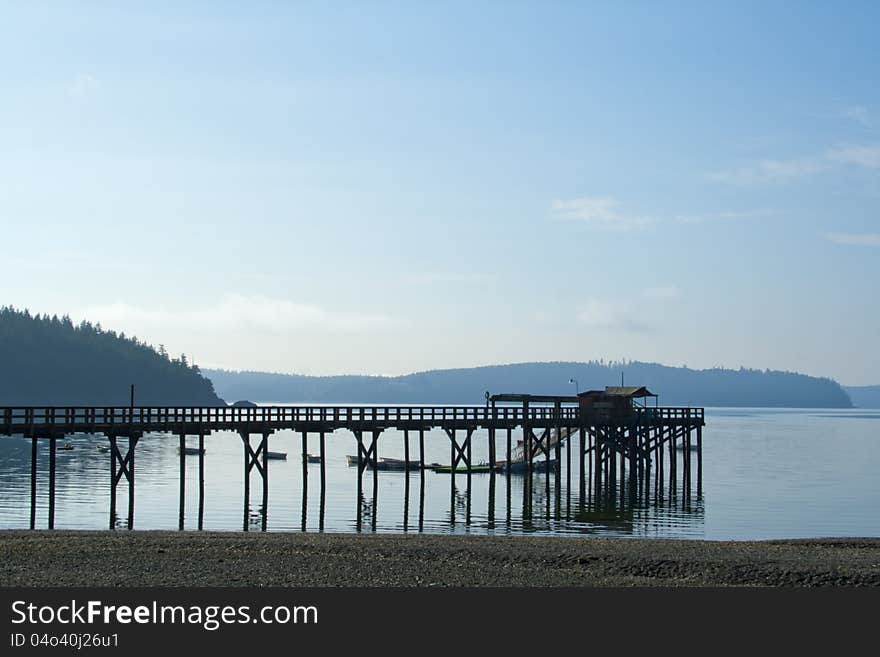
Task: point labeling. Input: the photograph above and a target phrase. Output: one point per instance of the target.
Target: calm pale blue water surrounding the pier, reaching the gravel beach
(780, 473)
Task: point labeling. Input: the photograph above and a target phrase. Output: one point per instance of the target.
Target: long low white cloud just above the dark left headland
(237, 312)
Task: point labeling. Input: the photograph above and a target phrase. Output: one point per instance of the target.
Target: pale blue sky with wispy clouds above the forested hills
(390, 187)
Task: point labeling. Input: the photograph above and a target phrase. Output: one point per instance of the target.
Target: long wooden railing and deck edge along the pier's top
(95, 419)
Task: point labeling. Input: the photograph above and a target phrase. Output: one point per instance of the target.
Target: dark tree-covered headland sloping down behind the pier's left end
(52, 361)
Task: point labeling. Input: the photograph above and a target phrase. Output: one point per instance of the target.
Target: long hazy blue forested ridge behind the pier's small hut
(675, 385)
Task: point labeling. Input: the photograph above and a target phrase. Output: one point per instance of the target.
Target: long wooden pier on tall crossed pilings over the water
(625, 456)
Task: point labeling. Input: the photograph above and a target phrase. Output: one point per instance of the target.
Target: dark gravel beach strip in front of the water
(162, 558)
